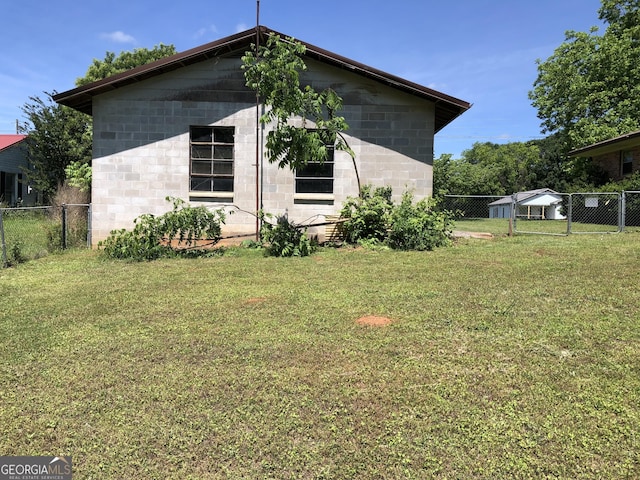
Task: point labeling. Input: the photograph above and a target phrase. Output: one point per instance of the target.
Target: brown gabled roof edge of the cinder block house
(447, 108)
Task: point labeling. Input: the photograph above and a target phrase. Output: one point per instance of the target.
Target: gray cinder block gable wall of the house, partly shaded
(141, 145)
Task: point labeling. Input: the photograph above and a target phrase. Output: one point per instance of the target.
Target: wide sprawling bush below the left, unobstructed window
(175, 233)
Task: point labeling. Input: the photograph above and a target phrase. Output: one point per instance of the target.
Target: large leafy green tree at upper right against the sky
(589, 89)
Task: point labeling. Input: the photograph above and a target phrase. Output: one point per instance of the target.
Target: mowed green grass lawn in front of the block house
(511, 358)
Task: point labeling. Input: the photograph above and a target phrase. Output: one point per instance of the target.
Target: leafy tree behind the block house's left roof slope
(59, 138)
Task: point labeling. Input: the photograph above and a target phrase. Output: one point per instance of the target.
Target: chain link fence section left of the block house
(27, 233)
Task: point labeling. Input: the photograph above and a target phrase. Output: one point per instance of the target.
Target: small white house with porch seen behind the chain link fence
(541, 204)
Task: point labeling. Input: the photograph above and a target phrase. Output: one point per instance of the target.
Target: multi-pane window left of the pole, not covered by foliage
(212, 152)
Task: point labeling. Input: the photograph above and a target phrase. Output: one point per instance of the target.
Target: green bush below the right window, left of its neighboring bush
(368, 216)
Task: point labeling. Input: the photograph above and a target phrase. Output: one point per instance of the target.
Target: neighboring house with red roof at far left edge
(13, 159)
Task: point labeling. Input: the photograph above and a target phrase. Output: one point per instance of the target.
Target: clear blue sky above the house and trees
(481, 51)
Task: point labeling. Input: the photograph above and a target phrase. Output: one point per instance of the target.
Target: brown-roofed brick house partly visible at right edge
(617, 156)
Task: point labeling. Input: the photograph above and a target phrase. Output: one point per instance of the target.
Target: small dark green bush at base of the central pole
(285, 239)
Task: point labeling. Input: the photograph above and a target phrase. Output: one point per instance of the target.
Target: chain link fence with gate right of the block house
(546, 212)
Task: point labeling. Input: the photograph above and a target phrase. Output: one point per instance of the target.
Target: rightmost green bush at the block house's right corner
(419, 226)
